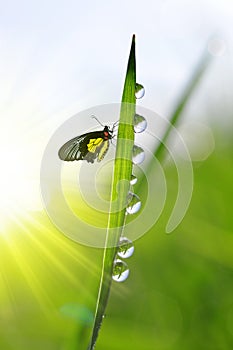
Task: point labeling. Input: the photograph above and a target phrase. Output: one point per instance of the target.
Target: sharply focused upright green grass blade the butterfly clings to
(120, 186)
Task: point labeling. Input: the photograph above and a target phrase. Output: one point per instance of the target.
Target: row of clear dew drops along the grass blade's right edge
(125, 247)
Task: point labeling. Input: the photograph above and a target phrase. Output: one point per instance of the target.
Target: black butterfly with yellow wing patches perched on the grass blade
(90, 146)
